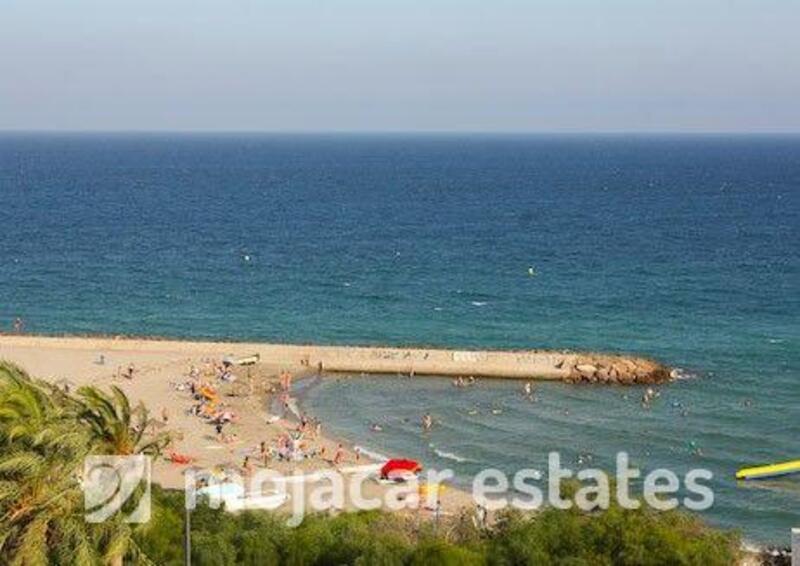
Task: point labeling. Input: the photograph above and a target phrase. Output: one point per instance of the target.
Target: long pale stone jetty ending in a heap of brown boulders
(568, 366)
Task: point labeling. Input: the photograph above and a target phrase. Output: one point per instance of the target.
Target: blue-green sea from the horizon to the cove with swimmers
(686, 249)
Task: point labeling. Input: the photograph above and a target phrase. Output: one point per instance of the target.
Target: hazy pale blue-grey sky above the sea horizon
(391, 65)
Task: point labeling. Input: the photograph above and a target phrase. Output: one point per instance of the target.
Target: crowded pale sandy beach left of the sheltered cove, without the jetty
(159, 368)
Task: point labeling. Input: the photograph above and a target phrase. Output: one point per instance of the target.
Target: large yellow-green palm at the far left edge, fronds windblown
(41, 503)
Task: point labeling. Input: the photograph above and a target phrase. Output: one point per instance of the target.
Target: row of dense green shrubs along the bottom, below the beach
(615, 536)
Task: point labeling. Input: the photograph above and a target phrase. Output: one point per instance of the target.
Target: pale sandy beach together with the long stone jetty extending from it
(160, 365)
